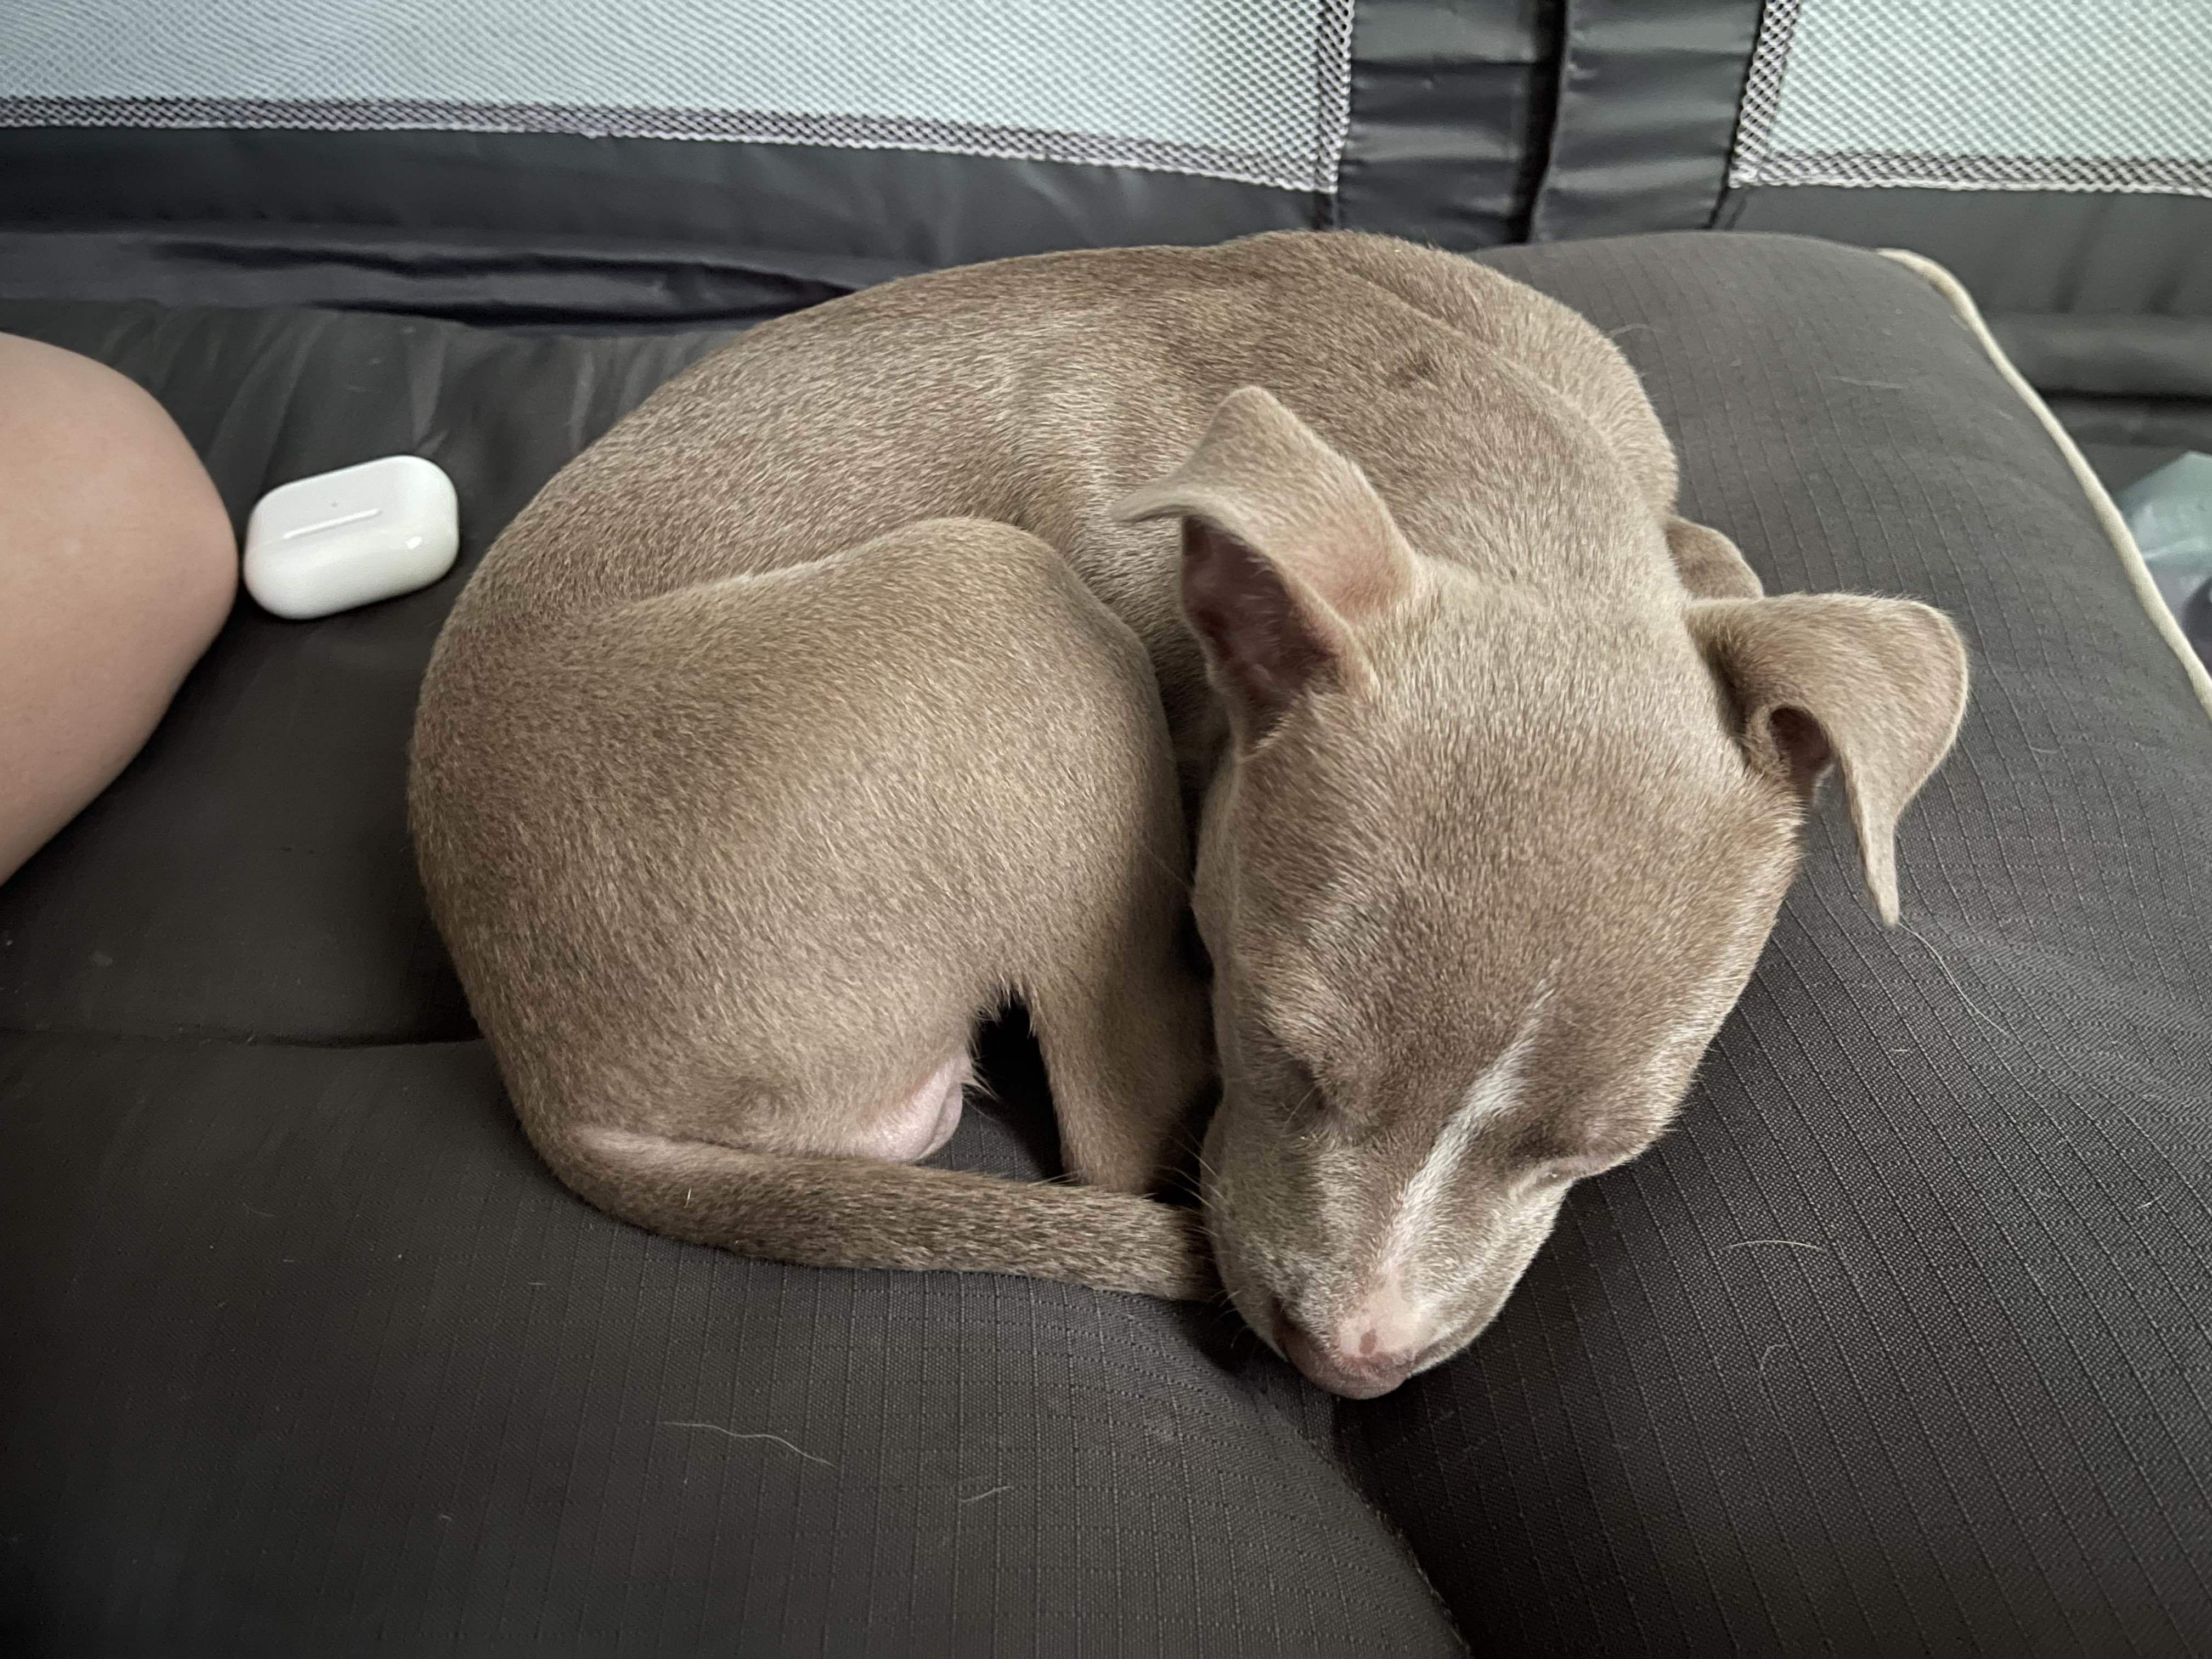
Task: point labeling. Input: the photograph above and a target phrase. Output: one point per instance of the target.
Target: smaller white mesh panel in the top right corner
(1981, 96)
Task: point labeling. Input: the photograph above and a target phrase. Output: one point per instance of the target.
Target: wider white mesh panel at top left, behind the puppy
(1235, 90)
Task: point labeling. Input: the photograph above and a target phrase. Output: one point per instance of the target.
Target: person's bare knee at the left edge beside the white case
(116, 570)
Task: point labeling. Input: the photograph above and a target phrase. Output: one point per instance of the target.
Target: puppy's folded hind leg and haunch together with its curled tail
(733, 870)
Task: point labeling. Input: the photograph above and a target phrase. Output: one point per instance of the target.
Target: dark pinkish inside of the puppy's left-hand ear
(1264, 634)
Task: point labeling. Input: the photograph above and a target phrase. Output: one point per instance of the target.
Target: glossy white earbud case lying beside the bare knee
(353, 536)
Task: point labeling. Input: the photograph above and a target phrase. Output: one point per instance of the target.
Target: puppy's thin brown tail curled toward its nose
(864, 1213)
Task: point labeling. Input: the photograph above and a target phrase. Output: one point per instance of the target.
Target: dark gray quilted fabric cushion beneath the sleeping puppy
(1897, 1344)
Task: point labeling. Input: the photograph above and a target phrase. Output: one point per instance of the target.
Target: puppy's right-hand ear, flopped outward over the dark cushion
(1875, 687)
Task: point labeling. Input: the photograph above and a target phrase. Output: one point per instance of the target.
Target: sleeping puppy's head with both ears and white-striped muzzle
(1483, 875)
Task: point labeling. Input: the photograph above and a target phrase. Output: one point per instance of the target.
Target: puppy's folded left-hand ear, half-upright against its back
(1286, 552)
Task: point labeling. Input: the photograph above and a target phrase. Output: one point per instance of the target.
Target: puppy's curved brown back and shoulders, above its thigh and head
(1039, 390)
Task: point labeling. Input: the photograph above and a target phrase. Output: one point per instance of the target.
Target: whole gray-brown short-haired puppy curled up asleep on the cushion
(775, 747)
